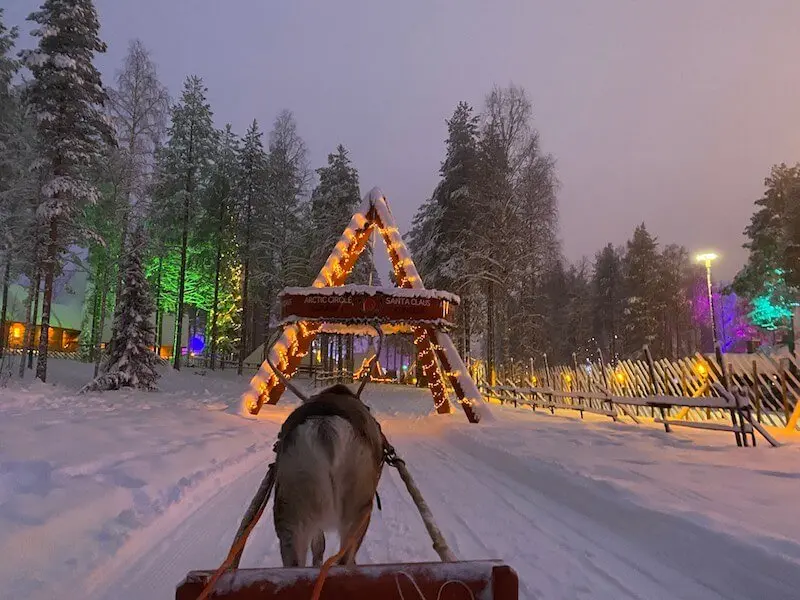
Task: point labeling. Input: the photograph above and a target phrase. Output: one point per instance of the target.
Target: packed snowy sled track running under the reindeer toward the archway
(567, 537)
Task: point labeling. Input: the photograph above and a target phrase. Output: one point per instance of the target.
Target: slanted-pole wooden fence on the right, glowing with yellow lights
(772, 382)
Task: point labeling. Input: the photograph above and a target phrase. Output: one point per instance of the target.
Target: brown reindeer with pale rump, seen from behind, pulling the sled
(330, 455)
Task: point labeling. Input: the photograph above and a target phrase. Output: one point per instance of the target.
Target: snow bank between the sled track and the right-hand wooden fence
(747, 492)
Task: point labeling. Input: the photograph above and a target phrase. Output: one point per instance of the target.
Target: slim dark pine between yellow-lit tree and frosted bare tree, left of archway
(253, 213)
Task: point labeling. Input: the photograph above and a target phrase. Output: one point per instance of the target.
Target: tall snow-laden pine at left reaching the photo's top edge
(67, 97)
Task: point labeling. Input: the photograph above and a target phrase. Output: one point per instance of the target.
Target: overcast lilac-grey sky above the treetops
(669, 112)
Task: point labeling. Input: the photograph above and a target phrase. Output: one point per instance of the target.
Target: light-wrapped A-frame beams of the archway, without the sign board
(431, 343)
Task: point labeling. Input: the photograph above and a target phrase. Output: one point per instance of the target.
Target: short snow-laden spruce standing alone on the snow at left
(131, 361)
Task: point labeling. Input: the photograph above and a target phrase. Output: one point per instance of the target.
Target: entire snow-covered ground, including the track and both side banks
(119, 495)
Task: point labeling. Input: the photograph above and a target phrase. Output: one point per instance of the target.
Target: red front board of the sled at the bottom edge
(484, 580)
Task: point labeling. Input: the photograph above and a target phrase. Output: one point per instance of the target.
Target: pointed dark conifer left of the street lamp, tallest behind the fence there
(642, 286)
